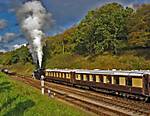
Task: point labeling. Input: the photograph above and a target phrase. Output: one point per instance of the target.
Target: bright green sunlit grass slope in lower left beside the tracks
(18, 99)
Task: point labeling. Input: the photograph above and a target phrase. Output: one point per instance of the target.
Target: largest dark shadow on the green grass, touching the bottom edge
(20, 108)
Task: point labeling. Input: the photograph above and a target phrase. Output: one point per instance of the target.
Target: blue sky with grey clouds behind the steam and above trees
(65, 14)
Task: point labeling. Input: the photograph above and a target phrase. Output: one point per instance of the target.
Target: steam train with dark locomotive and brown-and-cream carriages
(130, 84)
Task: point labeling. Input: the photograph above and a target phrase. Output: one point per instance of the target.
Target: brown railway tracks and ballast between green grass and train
(98, 103)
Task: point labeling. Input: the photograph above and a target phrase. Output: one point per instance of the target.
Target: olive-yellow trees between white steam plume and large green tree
(60, 43)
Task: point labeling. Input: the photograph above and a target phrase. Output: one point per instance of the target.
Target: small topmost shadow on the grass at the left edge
(5, 86)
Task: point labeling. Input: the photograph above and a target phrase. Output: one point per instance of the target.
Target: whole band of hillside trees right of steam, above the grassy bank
(110, 28)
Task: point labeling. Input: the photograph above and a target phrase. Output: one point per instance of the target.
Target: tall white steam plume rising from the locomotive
(34, 19)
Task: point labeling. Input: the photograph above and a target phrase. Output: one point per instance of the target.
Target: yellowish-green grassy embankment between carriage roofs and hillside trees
(131, 60)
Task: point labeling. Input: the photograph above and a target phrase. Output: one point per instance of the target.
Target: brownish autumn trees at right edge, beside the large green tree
(139, 27)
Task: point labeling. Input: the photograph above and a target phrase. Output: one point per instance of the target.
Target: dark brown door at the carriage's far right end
(146, 88)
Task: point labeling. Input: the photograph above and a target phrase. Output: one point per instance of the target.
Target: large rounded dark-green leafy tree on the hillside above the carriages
(103, 29)
